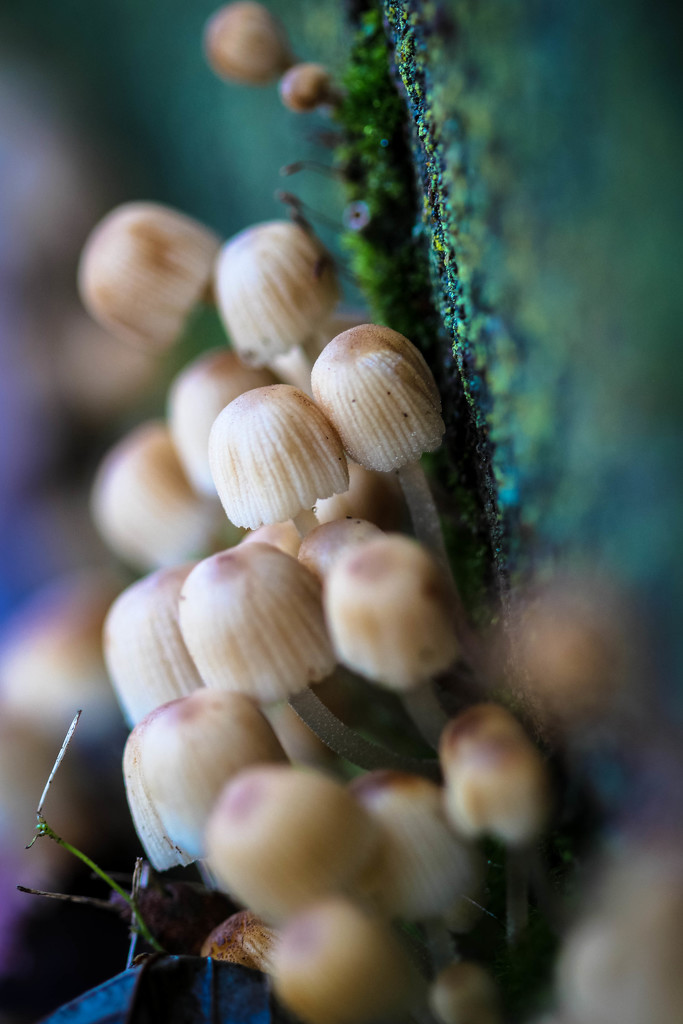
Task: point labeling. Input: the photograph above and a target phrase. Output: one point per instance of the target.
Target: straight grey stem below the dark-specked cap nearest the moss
(428, 528)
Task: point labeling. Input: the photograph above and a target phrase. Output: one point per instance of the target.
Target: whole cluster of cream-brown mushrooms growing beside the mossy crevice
(330, 589)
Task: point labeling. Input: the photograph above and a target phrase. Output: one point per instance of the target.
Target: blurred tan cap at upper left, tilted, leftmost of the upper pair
(143, 271)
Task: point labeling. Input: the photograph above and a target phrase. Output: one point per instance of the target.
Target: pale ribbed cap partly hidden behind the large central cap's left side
(146, 655)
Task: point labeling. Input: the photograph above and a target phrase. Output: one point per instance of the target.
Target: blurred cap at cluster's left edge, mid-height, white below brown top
(144, 505)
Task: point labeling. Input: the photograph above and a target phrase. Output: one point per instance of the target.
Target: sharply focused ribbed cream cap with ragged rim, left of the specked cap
(272, 454)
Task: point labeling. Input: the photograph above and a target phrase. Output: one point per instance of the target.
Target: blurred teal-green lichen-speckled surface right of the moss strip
(551, 154)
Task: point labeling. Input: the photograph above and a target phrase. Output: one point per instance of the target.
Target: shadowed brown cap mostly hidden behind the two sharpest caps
(372, 496)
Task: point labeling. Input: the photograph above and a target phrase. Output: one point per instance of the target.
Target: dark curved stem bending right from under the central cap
(349, 745)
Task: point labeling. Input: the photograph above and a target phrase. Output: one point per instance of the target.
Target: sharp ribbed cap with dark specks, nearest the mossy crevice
(379, 393)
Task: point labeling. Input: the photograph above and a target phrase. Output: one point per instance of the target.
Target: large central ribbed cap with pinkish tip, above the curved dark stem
(252, 620)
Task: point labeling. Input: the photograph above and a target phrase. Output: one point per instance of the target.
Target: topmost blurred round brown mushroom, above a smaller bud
(245, 44)
